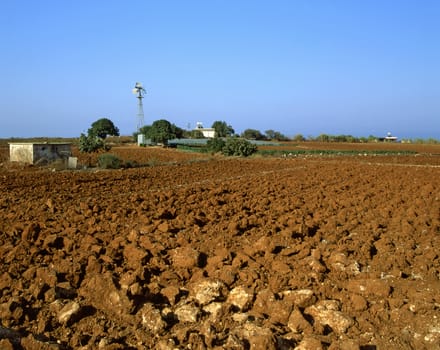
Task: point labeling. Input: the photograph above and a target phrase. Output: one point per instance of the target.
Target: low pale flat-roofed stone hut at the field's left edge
(34, 153)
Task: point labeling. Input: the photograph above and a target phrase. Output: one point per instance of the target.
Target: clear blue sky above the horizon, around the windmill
(296, 66)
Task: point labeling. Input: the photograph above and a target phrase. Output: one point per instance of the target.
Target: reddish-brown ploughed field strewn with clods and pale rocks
(203, 252)
